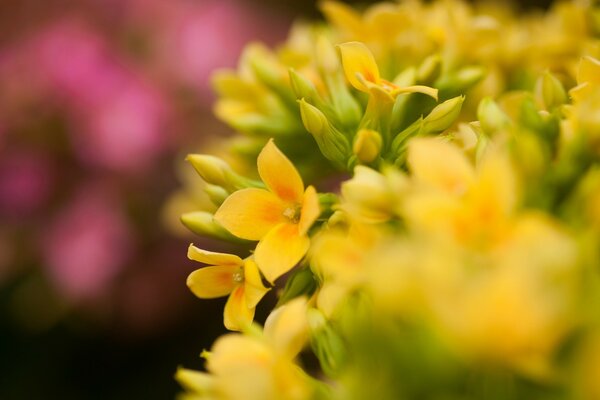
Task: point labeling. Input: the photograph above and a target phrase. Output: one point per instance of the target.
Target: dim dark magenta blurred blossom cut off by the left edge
(26, 180)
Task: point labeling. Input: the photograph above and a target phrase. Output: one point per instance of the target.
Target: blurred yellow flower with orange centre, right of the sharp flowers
(452, 197)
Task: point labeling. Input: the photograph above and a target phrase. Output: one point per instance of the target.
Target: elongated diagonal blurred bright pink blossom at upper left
(121, 121)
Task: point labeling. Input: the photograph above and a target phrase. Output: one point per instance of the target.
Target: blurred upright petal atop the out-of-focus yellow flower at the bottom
(286, 328)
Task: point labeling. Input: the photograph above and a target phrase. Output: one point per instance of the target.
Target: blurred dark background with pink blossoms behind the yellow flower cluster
(100, 100)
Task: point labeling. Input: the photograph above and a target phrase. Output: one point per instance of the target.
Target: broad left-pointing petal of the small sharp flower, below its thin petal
(211, 282)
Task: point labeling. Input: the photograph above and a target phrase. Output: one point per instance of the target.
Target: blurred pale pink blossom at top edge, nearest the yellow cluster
(192, 39)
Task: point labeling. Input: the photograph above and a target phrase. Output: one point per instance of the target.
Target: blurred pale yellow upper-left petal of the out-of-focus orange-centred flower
(440, 165)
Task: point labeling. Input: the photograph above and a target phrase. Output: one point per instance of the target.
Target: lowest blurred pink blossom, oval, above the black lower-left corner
(87, 245)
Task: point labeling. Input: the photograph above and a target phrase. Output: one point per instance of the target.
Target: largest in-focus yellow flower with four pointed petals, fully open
(278, 216)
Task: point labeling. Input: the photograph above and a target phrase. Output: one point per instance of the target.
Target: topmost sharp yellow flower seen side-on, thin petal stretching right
(362, 72)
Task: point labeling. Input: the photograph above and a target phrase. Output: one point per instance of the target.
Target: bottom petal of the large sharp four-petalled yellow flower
(281, 249)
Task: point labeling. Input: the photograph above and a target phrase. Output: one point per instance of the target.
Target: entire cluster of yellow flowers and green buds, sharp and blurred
(451, 246)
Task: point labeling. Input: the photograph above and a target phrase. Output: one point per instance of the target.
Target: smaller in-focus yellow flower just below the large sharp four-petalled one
(228, 274)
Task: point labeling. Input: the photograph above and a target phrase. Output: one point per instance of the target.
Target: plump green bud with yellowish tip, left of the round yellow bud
(332, 143)
